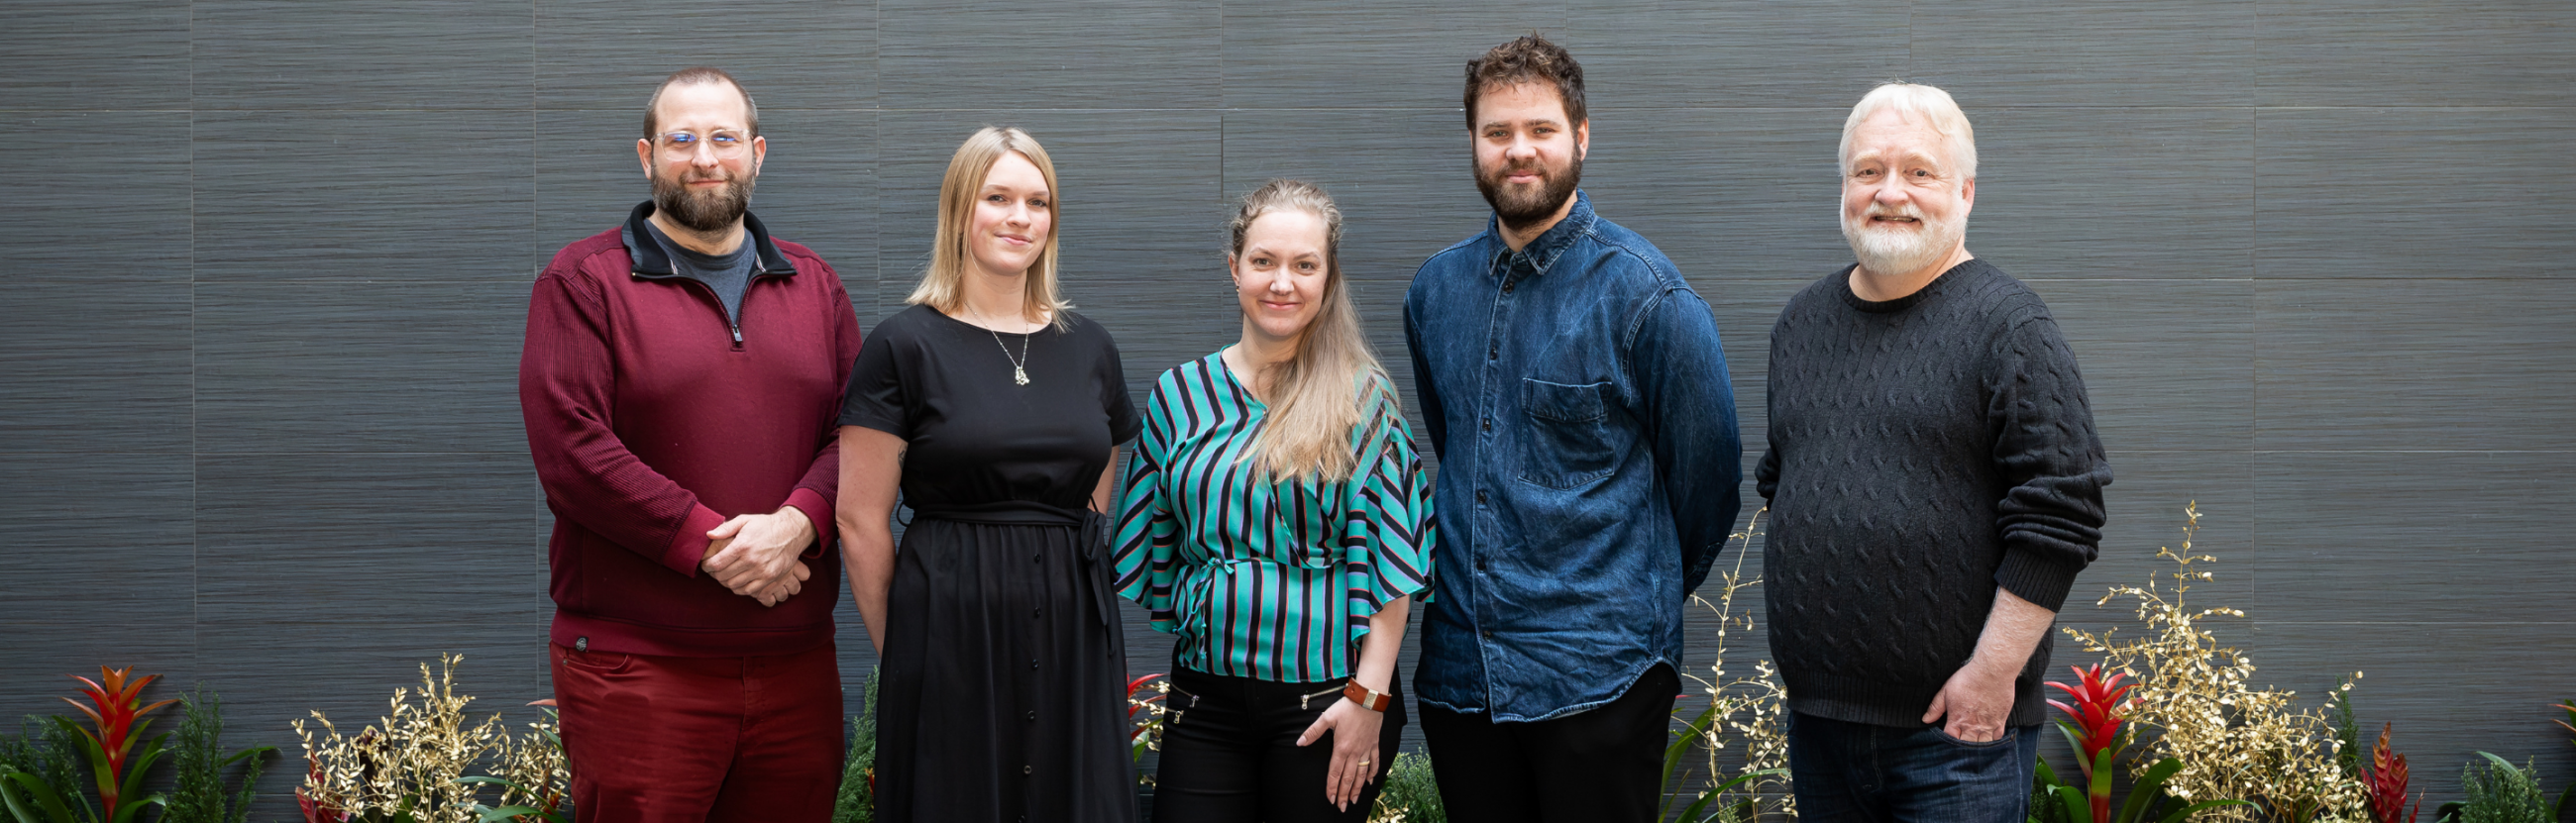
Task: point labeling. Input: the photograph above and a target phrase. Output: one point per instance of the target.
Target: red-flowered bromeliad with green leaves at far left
(117, 765)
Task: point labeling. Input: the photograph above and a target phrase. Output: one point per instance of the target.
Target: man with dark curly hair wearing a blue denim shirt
(1578, 397)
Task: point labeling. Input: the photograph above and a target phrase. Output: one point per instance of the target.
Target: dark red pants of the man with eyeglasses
(702, 739)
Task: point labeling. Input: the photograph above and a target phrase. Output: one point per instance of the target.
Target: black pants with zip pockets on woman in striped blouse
(1230, 752)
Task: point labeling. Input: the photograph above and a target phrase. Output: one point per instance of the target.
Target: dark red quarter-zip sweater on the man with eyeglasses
(656, 418)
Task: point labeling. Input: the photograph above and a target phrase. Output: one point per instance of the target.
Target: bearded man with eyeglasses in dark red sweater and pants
(681, 382)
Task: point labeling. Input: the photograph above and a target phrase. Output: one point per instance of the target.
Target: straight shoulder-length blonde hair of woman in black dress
(944, 284)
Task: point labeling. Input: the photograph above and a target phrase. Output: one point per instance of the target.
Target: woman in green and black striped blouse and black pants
(1276, 518)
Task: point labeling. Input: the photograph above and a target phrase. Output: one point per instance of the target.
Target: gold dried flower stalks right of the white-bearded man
(2237, 742)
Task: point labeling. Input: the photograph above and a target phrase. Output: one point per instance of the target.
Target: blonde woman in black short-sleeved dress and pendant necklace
(996, 410)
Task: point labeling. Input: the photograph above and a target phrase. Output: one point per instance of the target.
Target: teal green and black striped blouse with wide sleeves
(1258, 577)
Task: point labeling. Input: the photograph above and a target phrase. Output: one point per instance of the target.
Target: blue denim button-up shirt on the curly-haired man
(1588, 446)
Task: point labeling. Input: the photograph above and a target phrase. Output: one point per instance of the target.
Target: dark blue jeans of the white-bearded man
(1915, 775)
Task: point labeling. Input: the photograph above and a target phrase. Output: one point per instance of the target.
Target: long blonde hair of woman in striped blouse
(1333, 384)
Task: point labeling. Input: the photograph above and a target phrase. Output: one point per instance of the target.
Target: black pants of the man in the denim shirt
(1598, 765)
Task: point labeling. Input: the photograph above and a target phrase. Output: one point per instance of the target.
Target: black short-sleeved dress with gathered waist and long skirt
(1003, 685)
